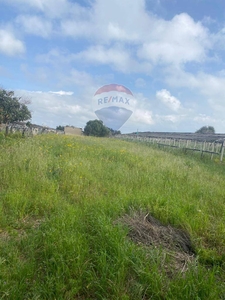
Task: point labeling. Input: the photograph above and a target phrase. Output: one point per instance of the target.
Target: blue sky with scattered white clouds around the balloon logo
(169, 53)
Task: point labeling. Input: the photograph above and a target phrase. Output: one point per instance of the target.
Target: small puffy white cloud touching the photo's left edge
(9, 44)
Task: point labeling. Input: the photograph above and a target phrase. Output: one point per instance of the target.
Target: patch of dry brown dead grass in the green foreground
(174, 244)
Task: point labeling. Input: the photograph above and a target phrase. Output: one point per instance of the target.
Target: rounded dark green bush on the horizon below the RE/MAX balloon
(96, 128)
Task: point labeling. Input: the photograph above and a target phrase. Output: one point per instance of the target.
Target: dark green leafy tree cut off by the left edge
(12, 109)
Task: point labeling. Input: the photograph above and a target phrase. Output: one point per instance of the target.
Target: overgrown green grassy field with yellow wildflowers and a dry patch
(101, 218)
